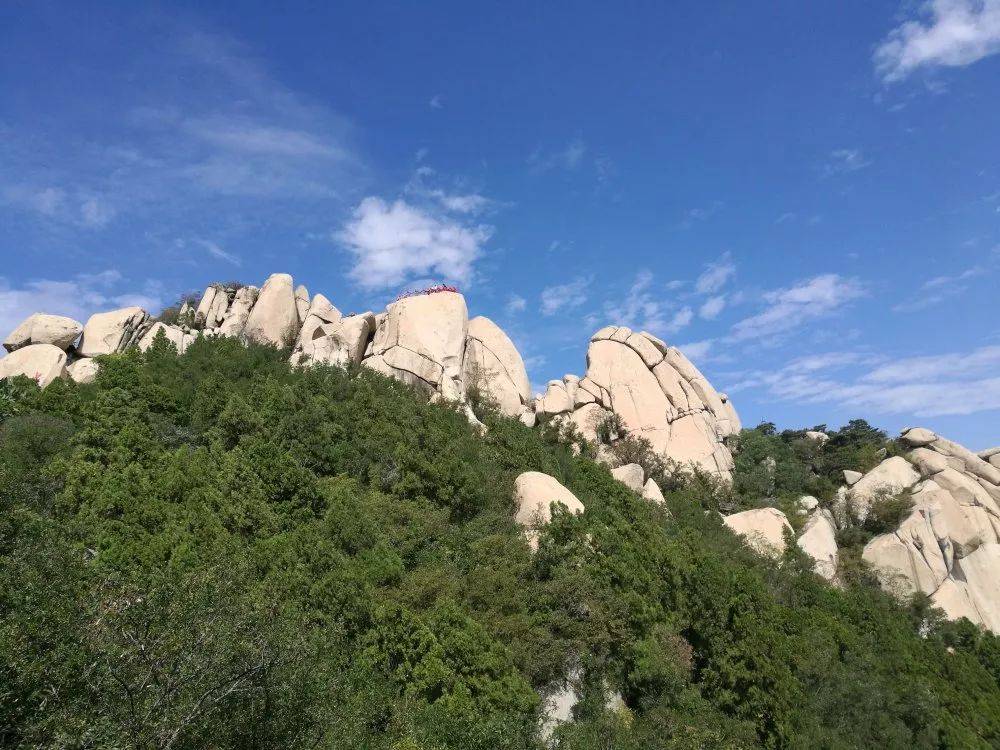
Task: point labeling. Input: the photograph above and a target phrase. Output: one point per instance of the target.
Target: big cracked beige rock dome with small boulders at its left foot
(657, 393)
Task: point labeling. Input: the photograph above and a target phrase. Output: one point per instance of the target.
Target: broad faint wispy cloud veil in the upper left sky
(231, 146)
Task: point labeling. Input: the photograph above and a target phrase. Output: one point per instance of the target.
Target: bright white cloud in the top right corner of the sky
(950, 33)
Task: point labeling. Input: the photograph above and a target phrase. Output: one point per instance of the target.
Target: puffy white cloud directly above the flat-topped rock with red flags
(394, 242)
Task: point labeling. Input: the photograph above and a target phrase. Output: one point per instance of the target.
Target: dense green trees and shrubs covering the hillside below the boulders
(216, 550)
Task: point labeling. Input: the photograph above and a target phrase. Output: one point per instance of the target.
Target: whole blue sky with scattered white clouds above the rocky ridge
(805, 196)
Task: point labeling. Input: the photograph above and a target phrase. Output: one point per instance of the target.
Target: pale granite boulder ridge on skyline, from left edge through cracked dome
(428, 341)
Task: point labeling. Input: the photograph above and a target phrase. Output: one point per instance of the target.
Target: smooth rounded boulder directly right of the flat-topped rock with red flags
(493, 364)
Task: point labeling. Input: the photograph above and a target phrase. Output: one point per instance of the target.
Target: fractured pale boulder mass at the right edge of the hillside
(948, 547)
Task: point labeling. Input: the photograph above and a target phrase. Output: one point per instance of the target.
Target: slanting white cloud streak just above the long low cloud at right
(796, 305)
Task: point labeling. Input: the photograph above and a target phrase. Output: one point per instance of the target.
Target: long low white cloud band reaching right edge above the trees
(947, 384)
